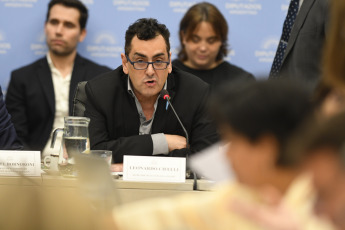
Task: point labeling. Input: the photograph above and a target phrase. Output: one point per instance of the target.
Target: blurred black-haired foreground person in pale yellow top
(258, 119)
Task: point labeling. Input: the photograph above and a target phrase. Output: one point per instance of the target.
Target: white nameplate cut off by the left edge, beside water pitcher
(20, 163)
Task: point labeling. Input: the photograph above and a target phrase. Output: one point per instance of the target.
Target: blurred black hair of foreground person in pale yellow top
(255, 109)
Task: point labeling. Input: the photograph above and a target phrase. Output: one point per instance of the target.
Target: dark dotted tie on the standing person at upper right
(288, 24)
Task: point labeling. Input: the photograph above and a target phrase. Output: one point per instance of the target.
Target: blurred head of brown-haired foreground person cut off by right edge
(323, 148)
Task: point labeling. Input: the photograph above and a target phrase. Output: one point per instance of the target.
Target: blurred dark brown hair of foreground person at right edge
(328, 133)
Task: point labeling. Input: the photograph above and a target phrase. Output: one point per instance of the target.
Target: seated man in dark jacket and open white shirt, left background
(33, 98)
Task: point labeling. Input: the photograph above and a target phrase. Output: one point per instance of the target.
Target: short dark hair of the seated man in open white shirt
(73, 4)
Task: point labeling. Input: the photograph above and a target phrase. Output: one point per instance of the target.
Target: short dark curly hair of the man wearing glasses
(146, 29)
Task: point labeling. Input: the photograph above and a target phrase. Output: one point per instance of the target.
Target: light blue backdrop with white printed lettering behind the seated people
(255, 28)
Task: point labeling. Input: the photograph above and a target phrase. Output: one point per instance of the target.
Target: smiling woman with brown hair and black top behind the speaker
(204, 45)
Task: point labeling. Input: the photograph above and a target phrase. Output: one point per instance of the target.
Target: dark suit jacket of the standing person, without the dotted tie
(302, 57)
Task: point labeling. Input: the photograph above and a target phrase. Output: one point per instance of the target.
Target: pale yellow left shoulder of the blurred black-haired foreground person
(209, 209)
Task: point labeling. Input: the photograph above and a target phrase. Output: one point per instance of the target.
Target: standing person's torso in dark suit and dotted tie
(300, 48)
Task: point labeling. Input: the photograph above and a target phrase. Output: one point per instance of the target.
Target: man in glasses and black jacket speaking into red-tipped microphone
(128, 115)
